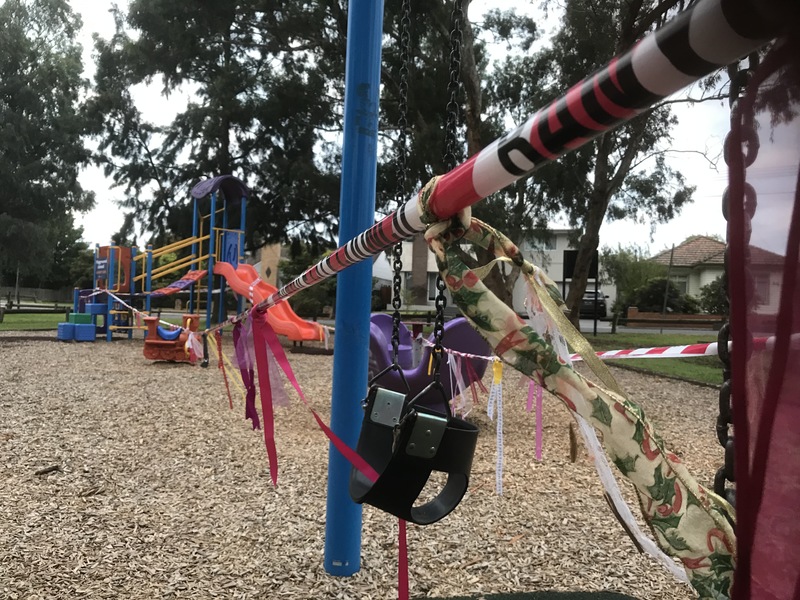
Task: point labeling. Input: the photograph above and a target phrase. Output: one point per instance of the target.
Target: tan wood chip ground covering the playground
(149, 486)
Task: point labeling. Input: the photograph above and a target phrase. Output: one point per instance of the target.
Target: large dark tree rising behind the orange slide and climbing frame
(265, 79)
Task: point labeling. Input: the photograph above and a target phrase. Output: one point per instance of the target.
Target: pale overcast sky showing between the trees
(701, 129)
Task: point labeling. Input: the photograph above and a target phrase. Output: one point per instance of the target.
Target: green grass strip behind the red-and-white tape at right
(705, 370)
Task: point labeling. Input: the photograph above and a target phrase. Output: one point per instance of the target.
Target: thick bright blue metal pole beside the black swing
(353, 289)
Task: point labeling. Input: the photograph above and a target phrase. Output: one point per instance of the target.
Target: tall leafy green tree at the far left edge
(41, 145)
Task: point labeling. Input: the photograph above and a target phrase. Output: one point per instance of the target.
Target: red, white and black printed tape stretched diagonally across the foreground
(700, 40)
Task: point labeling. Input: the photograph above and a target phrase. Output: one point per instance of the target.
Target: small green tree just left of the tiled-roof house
(629, 269)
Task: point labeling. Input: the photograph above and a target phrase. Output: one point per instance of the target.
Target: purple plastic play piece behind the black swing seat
(458, 335)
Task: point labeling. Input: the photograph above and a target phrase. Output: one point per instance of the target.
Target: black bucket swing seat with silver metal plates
(404, 443)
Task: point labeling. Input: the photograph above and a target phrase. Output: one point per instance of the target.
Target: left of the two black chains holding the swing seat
(402, 170)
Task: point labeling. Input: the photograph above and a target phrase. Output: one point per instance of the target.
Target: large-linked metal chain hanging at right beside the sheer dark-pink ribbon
(739, 76)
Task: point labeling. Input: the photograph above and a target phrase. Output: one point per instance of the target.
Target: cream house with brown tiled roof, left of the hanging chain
(696, 262)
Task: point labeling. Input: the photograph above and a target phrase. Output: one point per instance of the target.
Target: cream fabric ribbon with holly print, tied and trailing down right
(688, 521)
